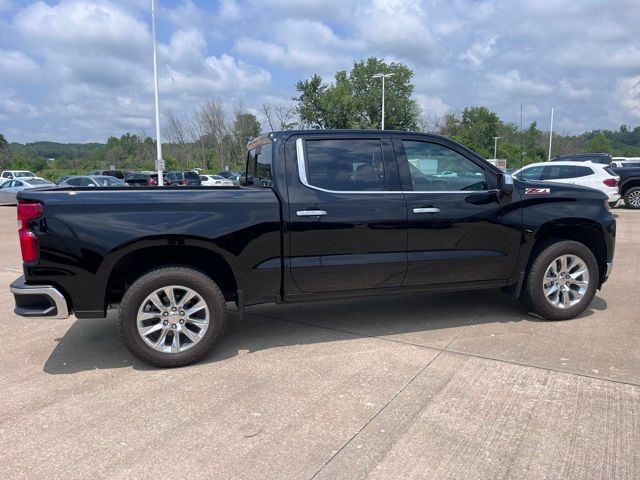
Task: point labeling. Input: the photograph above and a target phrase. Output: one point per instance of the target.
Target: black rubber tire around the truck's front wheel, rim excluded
(533, 296)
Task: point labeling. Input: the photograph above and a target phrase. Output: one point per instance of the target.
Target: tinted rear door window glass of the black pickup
(345, 165)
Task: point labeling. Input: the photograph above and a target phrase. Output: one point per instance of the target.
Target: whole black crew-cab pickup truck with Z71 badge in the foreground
(322, 214)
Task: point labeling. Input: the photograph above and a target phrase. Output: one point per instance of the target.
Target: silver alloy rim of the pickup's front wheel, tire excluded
(566, 281)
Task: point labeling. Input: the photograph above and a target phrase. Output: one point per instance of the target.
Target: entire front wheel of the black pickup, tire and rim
(562, 281)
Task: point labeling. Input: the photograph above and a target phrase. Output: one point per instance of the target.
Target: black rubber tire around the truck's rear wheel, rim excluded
(163, 277)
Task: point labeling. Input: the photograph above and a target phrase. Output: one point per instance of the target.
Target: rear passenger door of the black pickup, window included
(346, 218)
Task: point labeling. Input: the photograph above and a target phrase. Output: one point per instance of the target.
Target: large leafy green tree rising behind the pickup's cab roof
(354, 100)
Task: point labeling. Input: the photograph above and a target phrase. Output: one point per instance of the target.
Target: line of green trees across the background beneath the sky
(213, 136)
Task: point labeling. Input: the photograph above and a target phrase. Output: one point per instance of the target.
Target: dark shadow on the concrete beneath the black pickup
(95, 343)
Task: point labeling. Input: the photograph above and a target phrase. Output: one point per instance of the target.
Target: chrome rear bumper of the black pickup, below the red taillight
(38, 301)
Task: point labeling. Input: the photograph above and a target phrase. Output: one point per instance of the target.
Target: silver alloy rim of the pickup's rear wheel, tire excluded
(173, 319)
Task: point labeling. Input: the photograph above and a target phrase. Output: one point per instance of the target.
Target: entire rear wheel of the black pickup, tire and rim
(172, 316)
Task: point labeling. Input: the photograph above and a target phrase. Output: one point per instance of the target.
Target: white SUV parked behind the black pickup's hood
(587, 174)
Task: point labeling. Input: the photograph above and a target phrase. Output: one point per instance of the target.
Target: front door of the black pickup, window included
(460, 228)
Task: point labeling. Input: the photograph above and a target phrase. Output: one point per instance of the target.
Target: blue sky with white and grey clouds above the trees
(80, 70)
